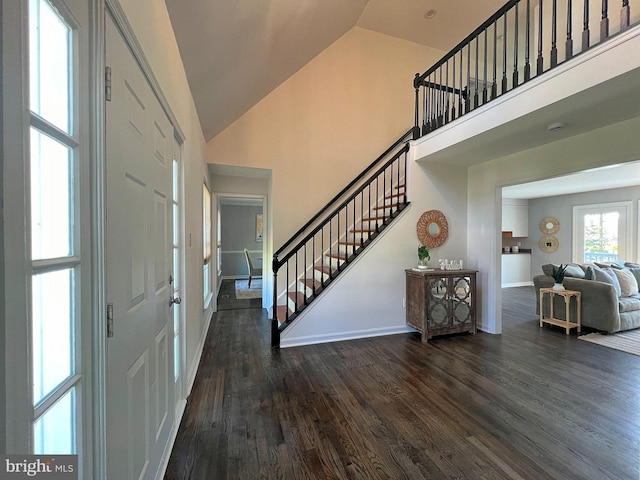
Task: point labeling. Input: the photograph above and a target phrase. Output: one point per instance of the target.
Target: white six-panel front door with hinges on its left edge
(139, 250)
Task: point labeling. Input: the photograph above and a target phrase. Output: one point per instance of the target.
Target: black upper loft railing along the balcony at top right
(523, 39)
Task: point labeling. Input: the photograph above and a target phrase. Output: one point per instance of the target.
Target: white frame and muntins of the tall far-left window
(18, 412)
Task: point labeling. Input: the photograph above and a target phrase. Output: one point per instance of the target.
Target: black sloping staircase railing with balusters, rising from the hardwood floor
(317, 253)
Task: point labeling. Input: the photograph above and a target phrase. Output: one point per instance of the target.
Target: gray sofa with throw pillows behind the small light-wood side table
(604, 307)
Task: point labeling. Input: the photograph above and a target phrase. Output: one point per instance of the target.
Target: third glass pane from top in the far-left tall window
(52, 331)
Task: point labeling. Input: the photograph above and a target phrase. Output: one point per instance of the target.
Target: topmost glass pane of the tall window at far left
(50, 43)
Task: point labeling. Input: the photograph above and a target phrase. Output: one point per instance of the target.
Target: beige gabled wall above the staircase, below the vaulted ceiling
(322, 126)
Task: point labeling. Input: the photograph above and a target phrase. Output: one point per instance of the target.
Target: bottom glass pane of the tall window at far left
(54, 432)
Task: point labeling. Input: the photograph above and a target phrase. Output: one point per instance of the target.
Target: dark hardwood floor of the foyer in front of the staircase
(532, 403)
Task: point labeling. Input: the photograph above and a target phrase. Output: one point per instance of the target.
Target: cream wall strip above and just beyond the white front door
(152, 26)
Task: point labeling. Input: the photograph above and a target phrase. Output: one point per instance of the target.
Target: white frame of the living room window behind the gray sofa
(626, 235)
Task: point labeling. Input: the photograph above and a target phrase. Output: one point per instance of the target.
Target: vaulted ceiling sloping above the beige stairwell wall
(237, 51)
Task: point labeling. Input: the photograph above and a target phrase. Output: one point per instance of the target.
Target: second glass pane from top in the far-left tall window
(50, 197)
